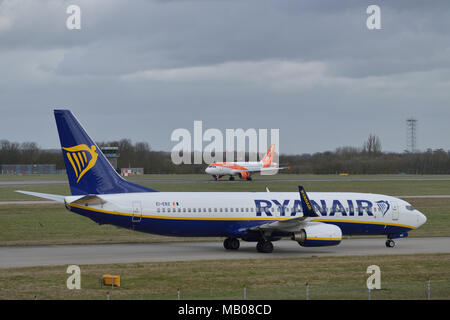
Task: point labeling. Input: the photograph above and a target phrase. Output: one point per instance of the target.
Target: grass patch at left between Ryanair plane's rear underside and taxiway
(53, 224)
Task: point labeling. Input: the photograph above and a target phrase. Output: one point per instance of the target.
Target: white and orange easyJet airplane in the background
(244, 169)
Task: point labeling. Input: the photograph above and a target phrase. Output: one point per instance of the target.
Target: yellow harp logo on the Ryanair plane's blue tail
(82, 158)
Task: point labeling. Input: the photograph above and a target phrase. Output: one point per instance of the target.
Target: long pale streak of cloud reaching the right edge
(286, 75)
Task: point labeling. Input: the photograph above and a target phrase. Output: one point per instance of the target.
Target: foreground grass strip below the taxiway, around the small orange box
(402, 277)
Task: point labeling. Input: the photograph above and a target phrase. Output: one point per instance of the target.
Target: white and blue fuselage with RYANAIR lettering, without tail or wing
(232, 214)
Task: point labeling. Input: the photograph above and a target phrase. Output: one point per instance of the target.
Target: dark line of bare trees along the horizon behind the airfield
(367, 159)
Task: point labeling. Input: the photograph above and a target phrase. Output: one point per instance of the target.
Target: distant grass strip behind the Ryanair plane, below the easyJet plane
(394, 188)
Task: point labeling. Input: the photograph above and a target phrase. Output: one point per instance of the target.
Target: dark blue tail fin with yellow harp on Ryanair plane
(88, 170)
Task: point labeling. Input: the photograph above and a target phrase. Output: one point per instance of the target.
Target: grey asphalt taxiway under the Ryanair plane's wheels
(27, 256)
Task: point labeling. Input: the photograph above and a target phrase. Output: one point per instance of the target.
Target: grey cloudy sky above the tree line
(140, 69)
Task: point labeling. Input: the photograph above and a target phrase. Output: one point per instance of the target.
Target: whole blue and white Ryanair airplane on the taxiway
(314, 219)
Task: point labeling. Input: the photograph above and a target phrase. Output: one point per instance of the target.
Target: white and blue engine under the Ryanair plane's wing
(318, 235)
